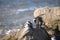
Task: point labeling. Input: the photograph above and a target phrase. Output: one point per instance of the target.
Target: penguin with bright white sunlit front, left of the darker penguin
(28, 28)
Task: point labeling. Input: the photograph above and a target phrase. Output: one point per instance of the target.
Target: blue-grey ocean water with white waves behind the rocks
(14, 13)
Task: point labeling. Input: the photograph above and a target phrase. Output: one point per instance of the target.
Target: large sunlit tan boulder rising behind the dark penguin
(50, 16)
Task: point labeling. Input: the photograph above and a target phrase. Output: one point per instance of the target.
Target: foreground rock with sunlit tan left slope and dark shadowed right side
(27, 33)
